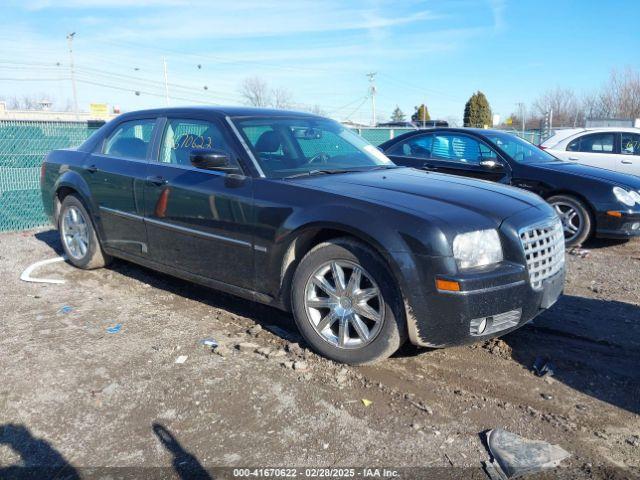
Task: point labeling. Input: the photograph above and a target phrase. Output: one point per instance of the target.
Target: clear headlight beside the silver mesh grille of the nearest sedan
(474, 249)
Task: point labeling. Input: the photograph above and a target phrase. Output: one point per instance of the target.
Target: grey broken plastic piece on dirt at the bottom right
(515, 456)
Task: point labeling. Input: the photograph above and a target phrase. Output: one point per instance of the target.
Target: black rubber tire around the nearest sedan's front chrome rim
(393, 331)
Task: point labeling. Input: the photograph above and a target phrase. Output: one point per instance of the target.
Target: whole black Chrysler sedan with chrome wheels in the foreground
(296, 211)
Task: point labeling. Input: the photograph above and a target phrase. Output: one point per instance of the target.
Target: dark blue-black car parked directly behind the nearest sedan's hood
(590, 201)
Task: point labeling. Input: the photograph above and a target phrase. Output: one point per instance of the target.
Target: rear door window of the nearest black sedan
(130, 139)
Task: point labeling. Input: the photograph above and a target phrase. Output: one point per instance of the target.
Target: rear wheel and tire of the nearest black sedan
(78, 235)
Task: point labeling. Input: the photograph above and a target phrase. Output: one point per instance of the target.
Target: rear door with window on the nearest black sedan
(115, 173)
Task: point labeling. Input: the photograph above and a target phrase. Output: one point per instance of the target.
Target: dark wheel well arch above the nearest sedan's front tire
(301, 245)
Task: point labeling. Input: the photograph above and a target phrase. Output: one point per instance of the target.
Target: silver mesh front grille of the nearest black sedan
(544, 250)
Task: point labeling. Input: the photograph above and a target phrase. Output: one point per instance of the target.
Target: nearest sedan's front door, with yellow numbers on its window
(199, 221)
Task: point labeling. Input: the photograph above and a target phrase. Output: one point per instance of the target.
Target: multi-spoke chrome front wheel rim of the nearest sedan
(344, 304)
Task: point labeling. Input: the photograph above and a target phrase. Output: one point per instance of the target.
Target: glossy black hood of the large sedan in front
(439, 195)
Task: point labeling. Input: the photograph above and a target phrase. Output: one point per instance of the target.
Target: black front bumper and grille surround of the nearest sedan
(500, 297)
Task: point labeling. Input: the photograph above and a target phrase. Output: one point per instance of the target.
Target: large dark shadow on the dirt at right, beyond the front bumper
(594, 346)
